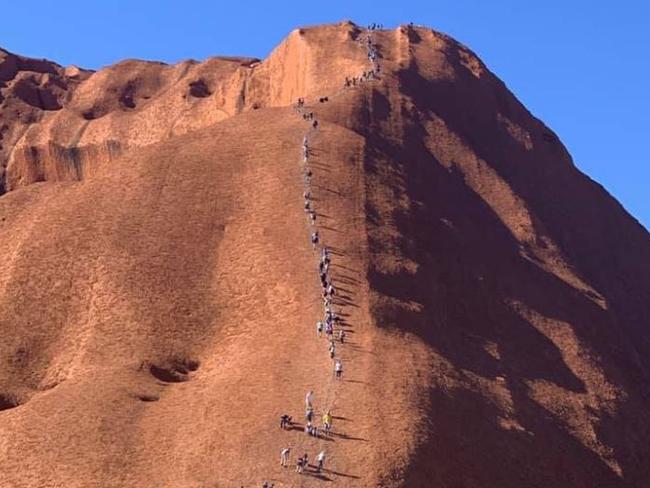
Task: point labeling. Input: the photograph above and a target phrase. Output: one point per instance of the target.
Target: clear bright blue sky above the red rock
(581, 66)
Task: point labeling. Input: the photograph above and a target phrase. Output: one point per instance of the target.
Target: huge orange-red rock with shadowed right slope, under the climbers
(159, 293)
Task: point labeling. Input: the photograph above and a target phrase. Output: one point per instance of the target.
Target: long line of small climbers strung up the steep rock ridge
(332, 321)
